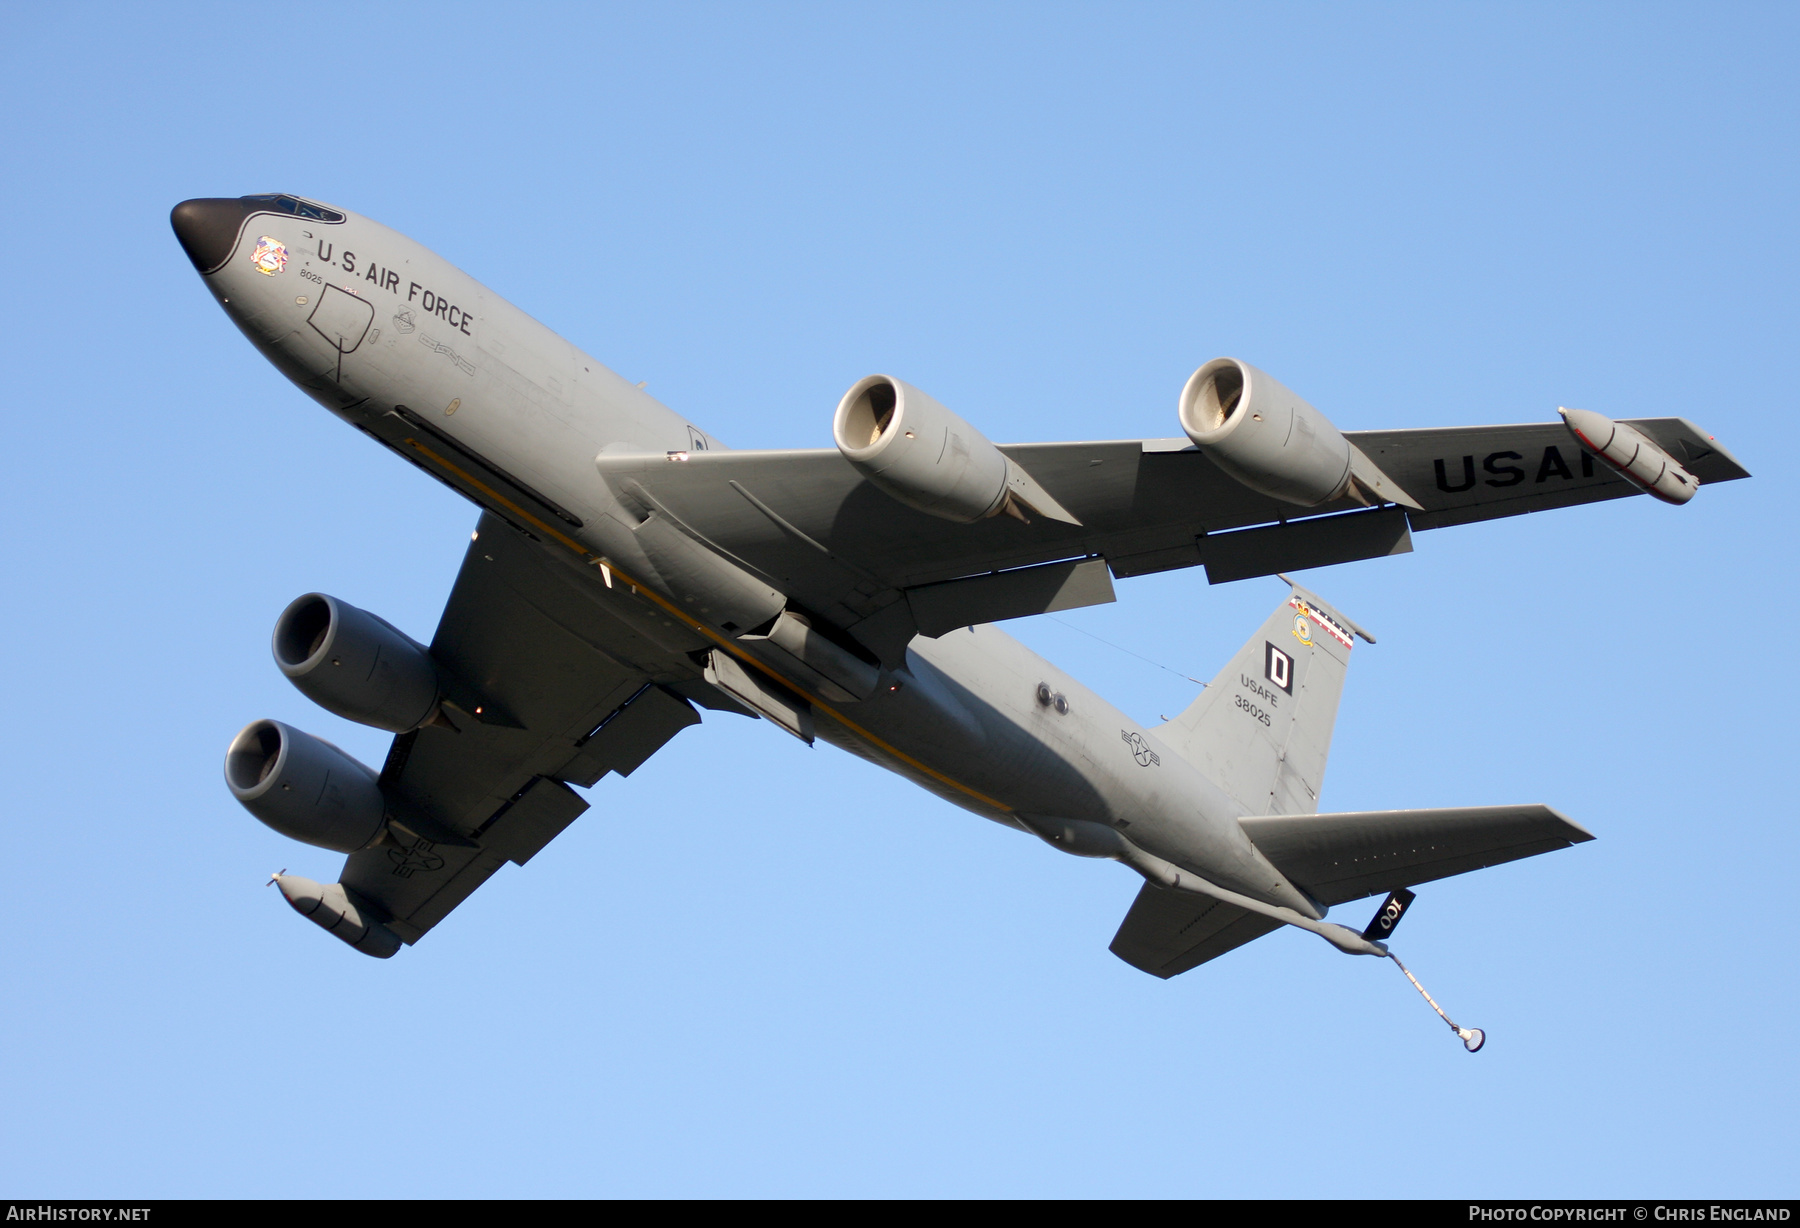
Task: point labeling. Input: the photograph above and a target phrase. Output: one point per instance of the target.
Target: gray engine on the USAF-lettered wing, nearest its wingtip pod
(1263, 435)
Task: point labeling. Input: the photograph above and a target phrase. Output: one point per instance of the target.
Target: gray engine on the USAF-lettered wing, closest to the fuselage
(931, 460)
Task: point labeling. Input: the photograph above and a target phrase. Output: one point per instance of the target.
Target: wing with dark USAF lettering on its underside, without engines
(852, 555)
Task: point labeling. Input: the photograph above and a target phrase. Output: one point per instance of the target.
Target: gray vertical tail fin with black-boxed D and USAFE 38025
(1264, 727)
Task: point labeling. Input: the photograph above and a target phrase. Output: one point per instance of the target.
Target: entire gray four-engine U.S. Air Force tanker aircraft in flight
(631, 570)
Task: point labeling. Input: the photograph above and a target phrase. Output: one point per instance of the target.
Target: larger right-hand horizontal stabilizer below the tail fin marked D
(1340, 858)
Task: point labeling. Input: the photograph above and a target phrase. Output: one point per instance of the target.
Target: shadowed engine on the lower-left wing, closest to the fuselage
(355, 665)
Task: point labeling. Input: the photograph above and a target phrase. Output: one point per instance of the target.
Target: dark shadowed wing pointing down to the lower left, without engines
(564, 694)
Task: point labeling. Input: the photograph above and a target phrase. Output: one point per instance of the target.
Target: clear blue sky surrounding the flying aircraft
(760, 970)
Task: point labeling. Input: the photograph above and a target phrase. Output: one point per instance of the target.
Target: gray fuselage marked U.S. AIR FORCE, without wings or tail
(384, 334)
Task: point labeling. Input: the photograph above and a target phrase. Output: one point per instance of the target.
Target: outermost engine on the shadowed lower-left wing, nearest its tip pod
(305, 788)
